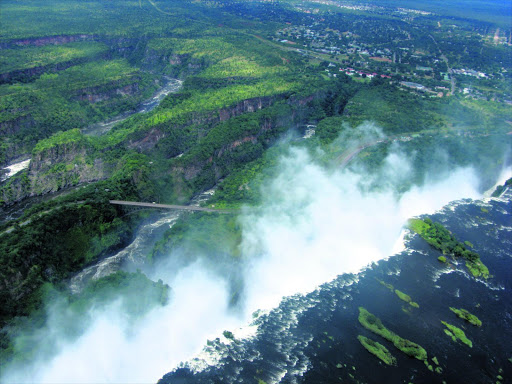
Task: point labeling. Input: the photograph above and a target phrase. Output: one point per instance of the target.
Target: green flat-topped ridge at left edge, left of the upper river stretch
(72, 98)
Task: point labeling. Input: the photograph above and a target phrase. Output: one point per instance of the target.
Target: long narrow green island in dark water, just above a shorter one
(373, 323)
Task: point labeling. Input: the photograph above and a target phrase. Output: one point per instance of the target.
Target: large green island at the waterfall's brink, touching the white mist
(442, 239)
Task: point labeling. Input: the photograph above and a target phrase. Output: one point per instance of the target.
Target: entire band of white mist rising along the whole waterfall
(314, 224)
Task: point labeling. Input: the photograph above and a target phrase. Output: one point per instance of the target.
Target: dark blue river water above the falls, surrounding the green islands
(313, 338)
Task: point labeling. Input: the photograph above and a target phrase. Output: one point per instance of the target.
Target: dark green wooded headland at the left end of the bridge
(54, 239)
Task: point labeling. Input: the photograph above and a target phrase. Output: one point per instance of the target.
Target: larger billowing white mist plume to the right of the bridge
(316, 224)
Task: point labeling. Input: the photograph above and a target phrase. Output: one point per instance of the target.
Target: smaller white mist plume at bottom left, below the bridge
(110, 351)
